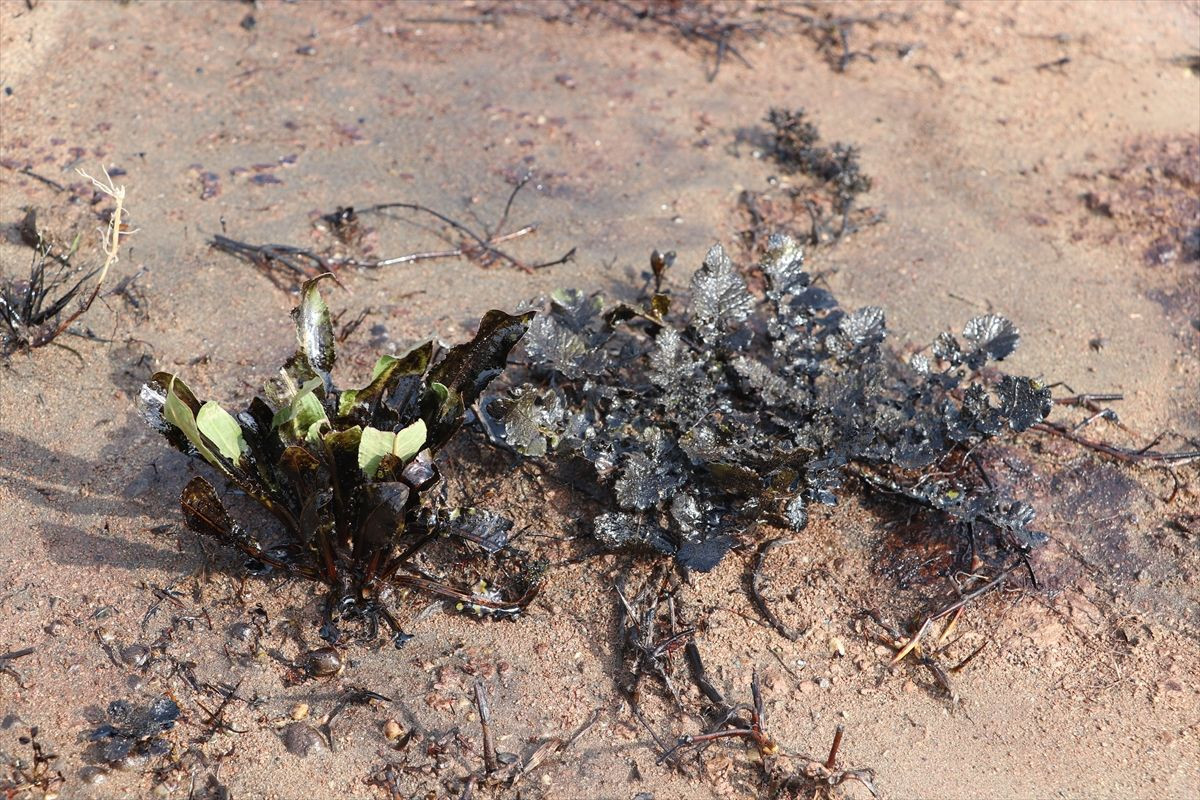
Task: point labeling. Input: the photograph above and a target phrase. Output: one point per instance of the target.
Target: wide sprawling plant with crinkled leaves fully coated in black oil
(745, 410)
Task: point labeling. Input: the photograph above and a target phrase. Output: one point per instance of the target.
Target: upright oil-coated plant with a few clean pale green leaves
(350, 474)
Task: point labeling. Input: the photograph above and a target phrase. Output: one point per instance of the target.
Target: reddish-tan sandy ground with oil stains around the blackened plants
(986, 127)
